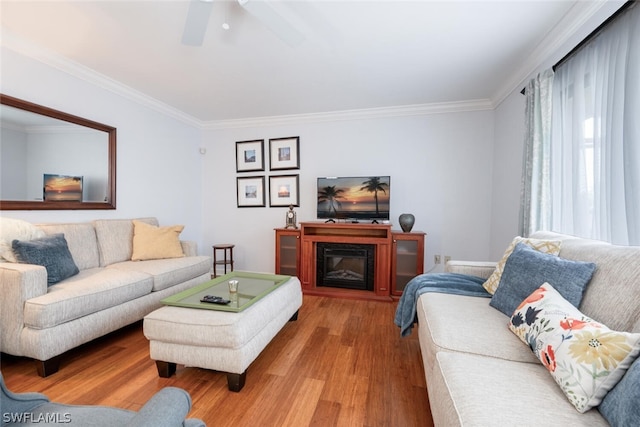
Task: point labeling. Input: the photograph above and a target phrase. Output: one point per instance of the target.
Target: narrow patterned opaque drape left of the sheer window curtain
(536, 186)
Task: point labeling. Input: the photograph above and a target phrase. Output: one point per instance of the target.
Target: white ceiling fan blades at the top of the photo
(272, 16)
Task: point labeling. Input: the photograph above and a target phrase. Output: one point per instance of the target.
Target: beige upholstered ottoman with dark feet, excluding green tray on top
(222, 341)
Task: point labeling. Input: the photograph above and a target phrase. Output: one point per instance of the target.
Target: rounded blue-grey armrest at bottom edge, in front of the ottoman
(167, 408)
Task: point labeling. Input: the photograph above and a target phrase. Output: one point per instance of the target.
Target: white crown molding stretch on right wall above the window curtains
(547, 50)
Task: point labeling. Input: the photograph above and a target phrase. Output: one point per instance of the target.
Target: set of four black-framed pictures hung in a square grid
(284, 154)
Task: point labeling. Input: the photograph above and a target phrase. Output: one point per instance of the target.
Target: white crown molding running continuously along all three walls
(577, 16)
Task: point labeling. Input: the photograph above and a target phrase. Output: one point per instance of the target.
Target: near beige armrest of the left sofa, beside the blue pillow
(18, 283)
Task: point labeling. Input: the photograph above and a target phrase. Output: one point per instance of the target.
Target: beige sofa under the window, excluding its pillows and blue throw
(480, 374)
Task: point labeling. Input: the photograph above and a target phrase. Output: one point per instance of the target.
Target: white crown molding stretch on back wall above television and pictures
(359, 114)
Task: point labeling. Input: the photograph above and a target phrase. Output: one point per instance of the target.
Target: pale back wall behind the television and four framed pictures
(440, 167)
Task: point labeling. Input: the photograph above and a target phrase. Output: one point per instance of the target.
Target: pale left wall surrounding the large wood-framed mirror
(158, 164)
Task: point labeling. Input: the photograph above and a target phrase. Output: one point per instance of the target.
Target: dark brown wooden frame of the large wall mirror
(109, 203)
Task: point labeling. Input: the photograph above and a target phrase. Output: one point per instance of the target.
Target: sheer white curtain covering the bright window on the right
(595, 138)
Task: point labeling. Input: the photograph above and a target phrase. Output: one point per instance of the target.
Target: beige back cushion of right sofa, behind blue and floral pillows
(615, 282)
